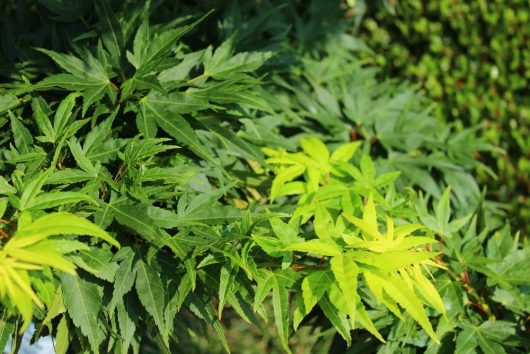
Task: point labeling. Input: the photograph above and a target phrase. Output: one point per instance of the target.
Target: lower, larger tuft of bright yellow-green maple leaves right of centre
(390, 256)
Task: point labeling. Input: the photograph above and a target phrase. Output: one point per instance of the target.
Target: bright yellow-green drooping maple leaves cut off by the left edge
(32, 251)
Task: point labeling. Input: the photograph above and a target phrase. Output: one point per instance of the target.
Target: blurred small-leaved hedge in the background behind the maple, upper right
(473, 57)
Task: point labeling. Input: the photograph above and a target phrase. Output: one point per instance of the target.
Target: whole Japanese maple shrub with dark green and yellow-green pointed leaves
(165, 170)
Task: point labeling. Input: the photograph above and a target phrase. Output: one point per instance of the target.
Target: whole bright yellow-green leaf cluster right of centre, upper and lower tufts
(349, 247)
